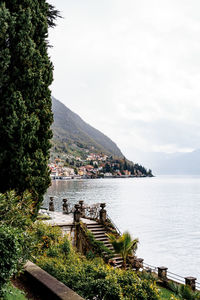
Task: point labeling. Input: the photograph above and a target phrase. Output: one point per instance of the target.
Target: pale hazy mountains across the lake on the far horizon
(175, 163)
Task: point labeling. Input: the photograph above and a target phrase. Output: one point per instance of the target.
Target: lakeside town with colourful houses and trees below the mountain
(95, 166)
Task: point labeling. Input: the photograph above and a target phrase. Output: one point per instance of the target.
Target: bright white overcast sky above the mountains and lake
(132, 70)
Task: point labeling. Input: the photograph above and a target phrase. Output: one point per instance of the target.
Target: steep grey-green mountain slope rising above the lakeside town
(72, 134)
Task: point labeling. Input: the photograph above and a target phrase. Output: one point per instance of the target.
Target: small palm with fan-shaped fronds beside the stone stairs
(123, 245)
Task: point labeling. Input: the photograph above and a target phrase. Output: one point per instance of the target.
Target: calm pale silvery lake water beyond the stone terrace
(163, 212)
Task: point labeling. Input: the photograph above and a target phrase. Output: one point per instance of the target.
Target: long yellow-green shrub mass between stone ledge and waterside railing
(95, 280)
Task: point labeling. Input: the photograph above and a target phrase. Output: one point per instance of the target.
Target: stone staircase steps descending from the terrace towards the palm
(99, 233)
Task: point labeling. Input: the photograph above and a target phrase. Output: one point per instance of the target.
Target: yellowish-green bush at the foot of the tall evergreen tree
(15, 210)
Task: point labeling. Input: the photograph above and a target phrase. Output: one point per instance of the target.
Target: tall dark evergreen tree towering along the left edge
(25, 98)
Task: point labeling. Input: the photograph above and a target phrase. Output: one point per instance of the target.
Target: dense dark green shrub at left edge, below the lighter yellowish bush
(11, 253)
